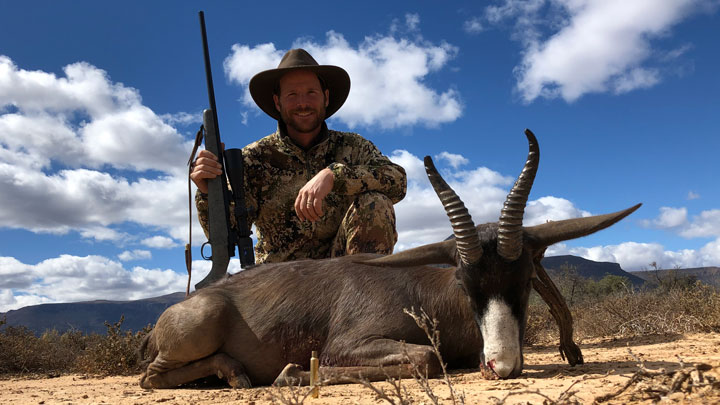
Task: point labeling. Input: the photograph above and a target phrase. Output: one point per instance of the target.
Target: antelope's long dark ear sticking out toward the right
(544, 235)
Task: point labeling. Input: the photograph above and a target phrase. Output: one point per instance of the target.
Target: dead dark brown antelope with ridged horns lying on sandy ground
(260, 325)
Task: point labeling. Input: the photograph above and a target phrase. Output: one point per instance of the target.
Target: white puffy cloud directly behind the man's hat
(388, 72)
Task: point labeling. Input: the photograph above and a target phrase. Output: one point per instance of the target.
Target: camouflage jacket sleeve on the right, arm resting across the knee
(363, 168)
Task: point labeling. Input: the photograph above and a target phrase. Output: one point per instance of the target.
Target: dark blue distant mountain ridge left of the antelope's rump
(90, 316)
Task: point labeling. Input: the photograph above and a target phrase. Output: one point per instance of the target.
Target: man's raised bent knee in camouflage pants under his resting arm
(368, 227)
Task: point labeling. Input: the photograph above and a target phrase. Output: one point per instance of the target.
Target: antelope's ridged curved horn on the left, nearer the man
(467, 240)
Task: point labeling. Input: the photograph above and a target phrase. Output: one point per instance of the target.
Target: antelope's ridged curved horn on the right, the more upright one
(510, 234)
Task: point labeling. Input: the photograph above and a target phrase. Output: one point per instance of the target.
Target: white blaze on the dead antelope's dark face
(501, 338)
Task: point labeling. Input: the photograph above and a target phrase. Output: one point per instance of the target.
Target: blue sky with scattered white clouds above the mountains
(99, 102)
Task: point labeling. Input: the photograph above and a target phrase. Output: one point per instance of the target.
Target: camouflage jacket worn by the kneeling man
(276, 169)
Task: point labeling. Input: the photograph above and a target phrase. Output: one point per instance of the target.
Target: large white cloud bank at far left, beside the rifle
(91, 129)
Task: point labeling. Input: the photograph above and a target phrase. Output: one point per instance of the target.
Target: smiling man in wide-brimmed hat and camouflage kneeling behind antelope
(311, 192)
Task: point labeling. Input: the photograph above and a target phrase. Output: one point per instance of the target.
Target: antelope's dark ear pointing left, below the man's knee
(435, 253)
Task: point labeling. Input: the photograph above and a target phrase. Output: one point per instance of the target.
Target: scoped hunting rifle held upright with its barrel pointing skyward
(222, 238)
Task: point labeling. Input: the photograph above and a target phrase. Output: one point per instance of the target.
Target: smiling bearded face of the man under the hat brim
(301, 102)
